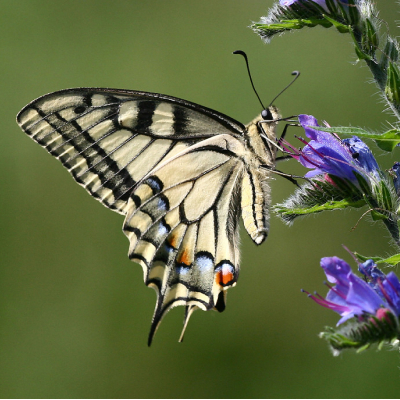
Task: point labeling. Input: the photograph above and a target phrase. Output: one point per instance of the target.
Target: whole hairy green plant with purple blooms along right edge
(342, 172)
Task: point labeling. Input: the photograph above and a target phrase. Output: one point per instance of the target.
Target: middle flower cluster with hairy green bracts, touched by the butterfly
(343, 173)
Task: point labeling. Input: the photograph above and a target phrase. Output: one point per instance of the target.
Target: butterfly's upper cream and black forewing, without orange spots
(109, 139)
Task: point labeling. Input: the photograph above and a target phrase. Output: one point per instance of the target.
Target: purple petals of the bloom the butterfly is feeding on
(326, 153)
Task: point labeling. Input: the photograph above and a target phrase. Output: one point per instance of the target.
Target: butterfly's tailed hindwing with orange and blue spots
(187, 245)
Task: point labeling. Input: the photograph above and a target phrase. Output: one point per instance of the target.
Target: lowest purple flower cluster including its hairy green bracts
(374, 303)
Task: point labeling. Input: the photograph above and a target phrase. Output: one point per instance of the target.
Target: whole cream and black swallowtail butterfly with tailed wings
(181, 174)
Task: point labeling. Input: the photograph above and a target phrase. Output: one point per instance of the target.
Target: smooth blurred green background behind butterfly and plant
(74, 312)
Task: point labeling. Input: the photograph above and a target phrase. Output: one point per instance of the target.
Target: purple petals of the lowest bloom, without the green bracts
(353, 297)
